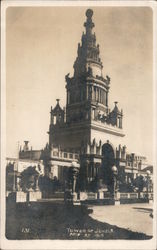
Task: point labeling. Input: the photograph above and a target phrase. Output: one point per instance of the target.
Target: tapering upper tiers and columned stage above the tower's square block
(87, 90)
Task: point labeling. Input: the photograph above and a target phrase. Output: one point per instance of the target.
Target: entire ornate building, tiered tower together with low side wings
(87, 131)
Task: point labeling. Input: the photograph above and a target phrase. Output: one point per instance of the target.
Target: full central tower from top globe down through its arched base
(86, 125)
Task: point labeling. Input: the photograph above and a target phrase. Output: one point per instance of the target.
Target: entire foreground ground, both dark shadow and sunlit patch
(46, 220)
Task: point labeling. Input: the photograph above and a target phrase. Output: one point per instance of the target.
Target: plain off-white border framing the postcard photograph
(70, 244)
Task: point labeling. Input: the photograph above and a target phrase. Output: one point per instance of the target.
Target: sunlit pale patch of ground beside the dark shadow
(135, 217)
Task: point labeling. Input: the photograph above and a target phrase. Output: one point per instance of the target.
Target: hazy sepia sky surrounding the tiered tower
(41, 47)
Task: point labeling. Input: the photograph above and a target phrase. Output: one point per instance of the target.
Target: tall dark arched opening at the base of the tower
(107, 163)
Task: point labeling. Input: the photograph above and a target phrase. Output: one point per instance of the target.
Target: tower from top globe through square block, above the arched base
(87, 116)
